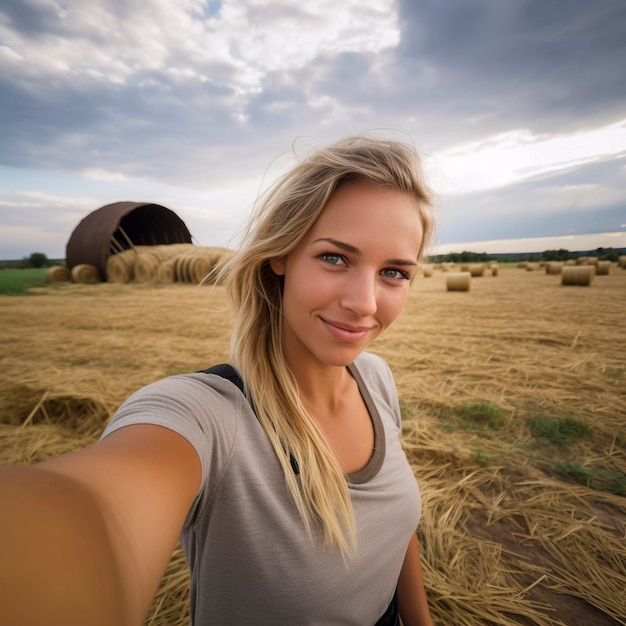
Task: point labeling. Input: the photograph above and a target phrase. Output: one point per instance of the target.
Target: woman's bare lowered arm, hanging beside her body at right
(412, 599)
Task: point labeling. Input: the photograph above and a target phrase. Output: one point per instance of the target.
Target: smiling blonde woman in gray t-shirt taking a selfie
(295, 500)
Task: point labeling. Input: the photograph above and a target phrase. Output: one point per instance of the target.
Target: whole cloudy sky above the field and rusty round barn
(518, 106)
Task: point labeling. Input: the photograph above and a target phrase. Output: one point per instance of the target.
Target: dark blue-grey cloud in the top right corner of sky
(472, 65)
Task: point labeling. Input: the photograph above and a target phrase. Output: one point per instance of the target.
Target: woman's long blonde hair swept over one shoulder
(283, 216)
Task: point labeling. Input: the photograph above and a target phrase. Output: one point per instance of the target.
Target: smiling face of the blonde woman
(348, 279)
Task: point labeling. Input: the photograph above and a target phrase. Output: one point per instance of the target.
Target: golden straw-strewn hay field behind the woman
(514, 396)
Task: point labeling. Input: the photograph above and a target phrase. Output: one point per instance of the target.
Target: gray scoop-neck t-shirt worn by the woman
(252, 562)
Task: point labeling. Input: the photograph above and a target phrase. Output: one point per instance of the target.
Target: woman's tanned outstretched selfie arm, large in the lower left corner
(85, 538)
